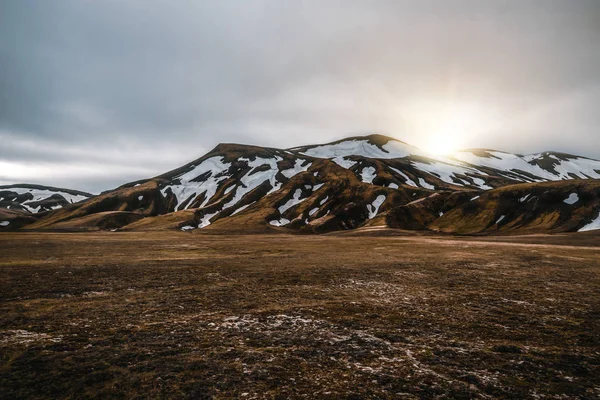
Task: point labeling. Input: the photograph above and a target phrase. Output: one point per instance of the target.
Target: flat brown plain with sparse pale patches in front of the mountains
(189, 315)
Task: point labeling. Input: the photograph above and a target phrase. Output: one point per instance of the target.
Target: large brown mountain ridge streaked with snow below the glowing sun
(359, 181)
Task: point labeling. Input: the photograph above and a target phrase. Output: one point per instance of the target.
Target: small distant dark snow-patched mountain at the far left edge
(37, 198)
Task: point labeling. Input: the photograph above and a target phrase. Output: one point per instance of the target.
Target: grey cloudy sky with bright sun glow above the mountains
(94, 94)
